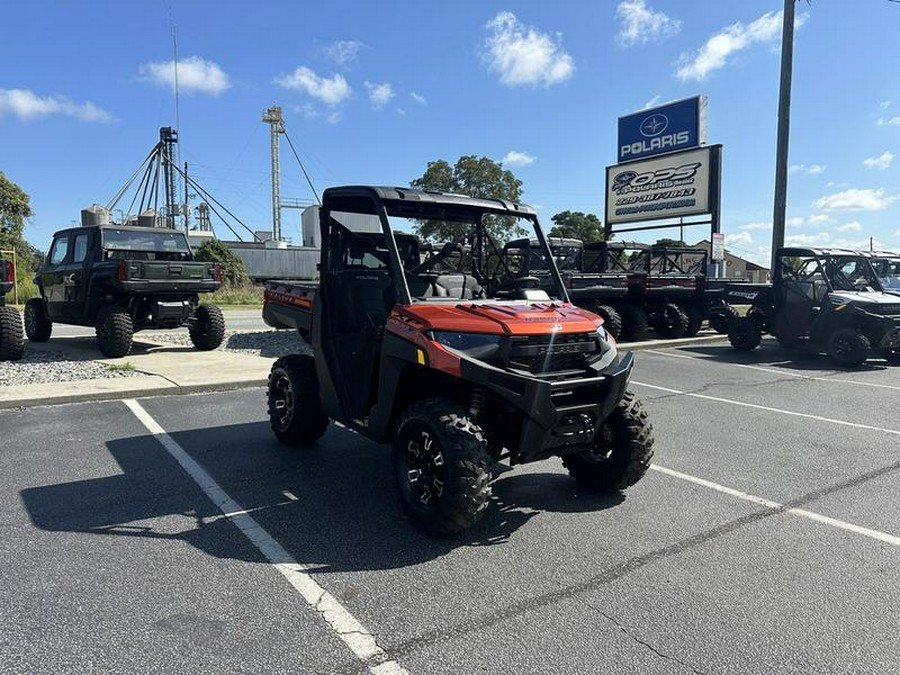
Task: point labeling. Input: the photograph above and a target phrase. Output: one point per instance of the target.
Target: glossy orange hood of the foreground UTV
(498, 318)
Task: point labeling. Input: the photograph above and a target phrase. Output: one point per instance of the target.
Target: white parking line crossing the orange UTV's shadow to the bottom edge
(360, 641)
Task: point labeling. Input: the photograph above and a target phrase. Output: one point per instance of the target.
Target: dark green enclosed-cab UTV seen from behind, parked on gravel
(121, 280)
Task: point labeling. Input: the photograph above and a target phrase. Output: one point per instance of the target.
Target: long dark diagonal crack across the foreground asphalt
(621, 570)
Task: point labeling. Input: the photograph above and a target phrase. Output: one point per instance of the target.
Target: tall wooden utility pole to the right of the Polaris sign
(784, 127)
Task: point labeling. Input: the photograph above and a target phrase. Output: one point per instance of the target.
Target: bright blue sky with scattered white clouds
(374, 91)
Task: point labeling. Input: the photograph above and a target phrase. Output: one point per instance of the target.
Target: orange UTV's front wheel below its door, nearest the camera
(442, 467)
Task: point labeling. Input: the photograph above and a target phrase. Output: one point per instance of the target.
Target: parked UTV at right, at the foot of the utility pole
(826, 300)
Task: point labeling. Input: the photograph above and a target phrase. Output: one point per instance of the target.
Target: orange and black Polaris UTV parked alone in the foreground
(457, 359)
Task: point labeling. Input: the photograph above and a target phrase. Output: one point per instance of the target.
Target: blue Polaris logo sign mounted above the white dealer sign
(669, 128)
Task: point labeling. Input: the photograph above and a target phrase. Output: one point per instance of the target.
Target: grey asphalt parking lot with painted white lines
(174, 534)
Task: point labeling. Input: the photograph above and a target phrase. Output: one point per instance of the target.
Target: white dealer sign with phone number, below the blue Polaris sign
(679, 184)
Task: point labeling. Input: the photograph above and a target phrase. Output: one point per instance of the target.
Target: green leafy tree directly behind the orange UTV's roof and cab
(476, 177)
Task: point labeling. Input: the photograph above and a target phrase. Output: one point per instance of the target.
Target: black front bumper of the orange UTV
(557, 416)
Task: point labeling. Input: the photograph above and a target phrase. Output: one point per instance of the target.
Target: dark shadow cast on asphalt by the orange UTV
(333, 506)
